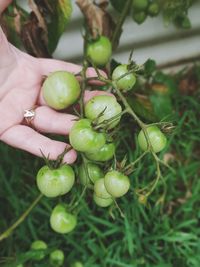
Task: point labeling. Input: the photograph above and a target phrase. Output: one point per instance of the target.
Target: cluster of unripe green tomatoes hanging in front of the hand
(90, 137)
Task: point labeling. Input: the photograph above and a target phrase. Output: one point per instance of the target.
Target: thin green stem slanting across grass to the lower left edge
(21, 219)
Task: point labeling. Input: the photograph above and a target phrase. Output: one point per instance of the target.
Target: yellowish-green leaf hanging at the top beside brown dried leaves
(62, 10)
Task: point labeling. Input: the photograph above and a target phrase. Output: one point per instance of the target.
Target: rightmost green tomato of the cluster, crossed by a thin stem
(157, 139)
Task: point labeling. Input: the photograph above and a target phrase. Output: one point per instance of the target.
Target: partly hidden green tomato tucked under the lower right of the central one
(103, 154)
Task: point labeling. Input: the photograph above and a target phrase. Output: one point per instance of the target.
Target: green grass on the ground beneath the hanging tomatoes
(164, 233)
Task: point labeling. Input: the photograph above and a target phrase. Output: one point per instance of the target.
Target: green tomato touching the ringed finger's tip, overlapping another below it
(83, 138)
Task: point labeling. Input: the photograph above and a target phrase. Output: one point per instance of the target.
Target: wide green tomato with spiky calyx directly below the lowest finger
(55, 182)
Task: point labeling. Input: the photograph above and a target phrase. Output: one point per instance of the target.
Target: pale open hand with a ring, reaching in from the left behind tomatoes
(20, 89)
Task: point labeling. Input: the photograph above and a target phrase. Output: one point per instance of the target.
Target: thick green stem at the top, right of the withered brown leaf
(118, 28)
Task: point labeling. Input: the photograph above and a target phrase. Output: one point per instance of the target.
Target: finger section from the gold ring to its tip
(48, 120)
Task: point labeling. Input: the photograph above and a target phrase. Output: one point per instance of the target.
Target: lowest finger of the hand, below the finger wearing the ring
(27, 139)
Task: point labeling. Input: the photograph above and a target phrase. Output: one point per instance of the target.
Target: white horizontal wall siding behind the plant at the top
(165, 44)
